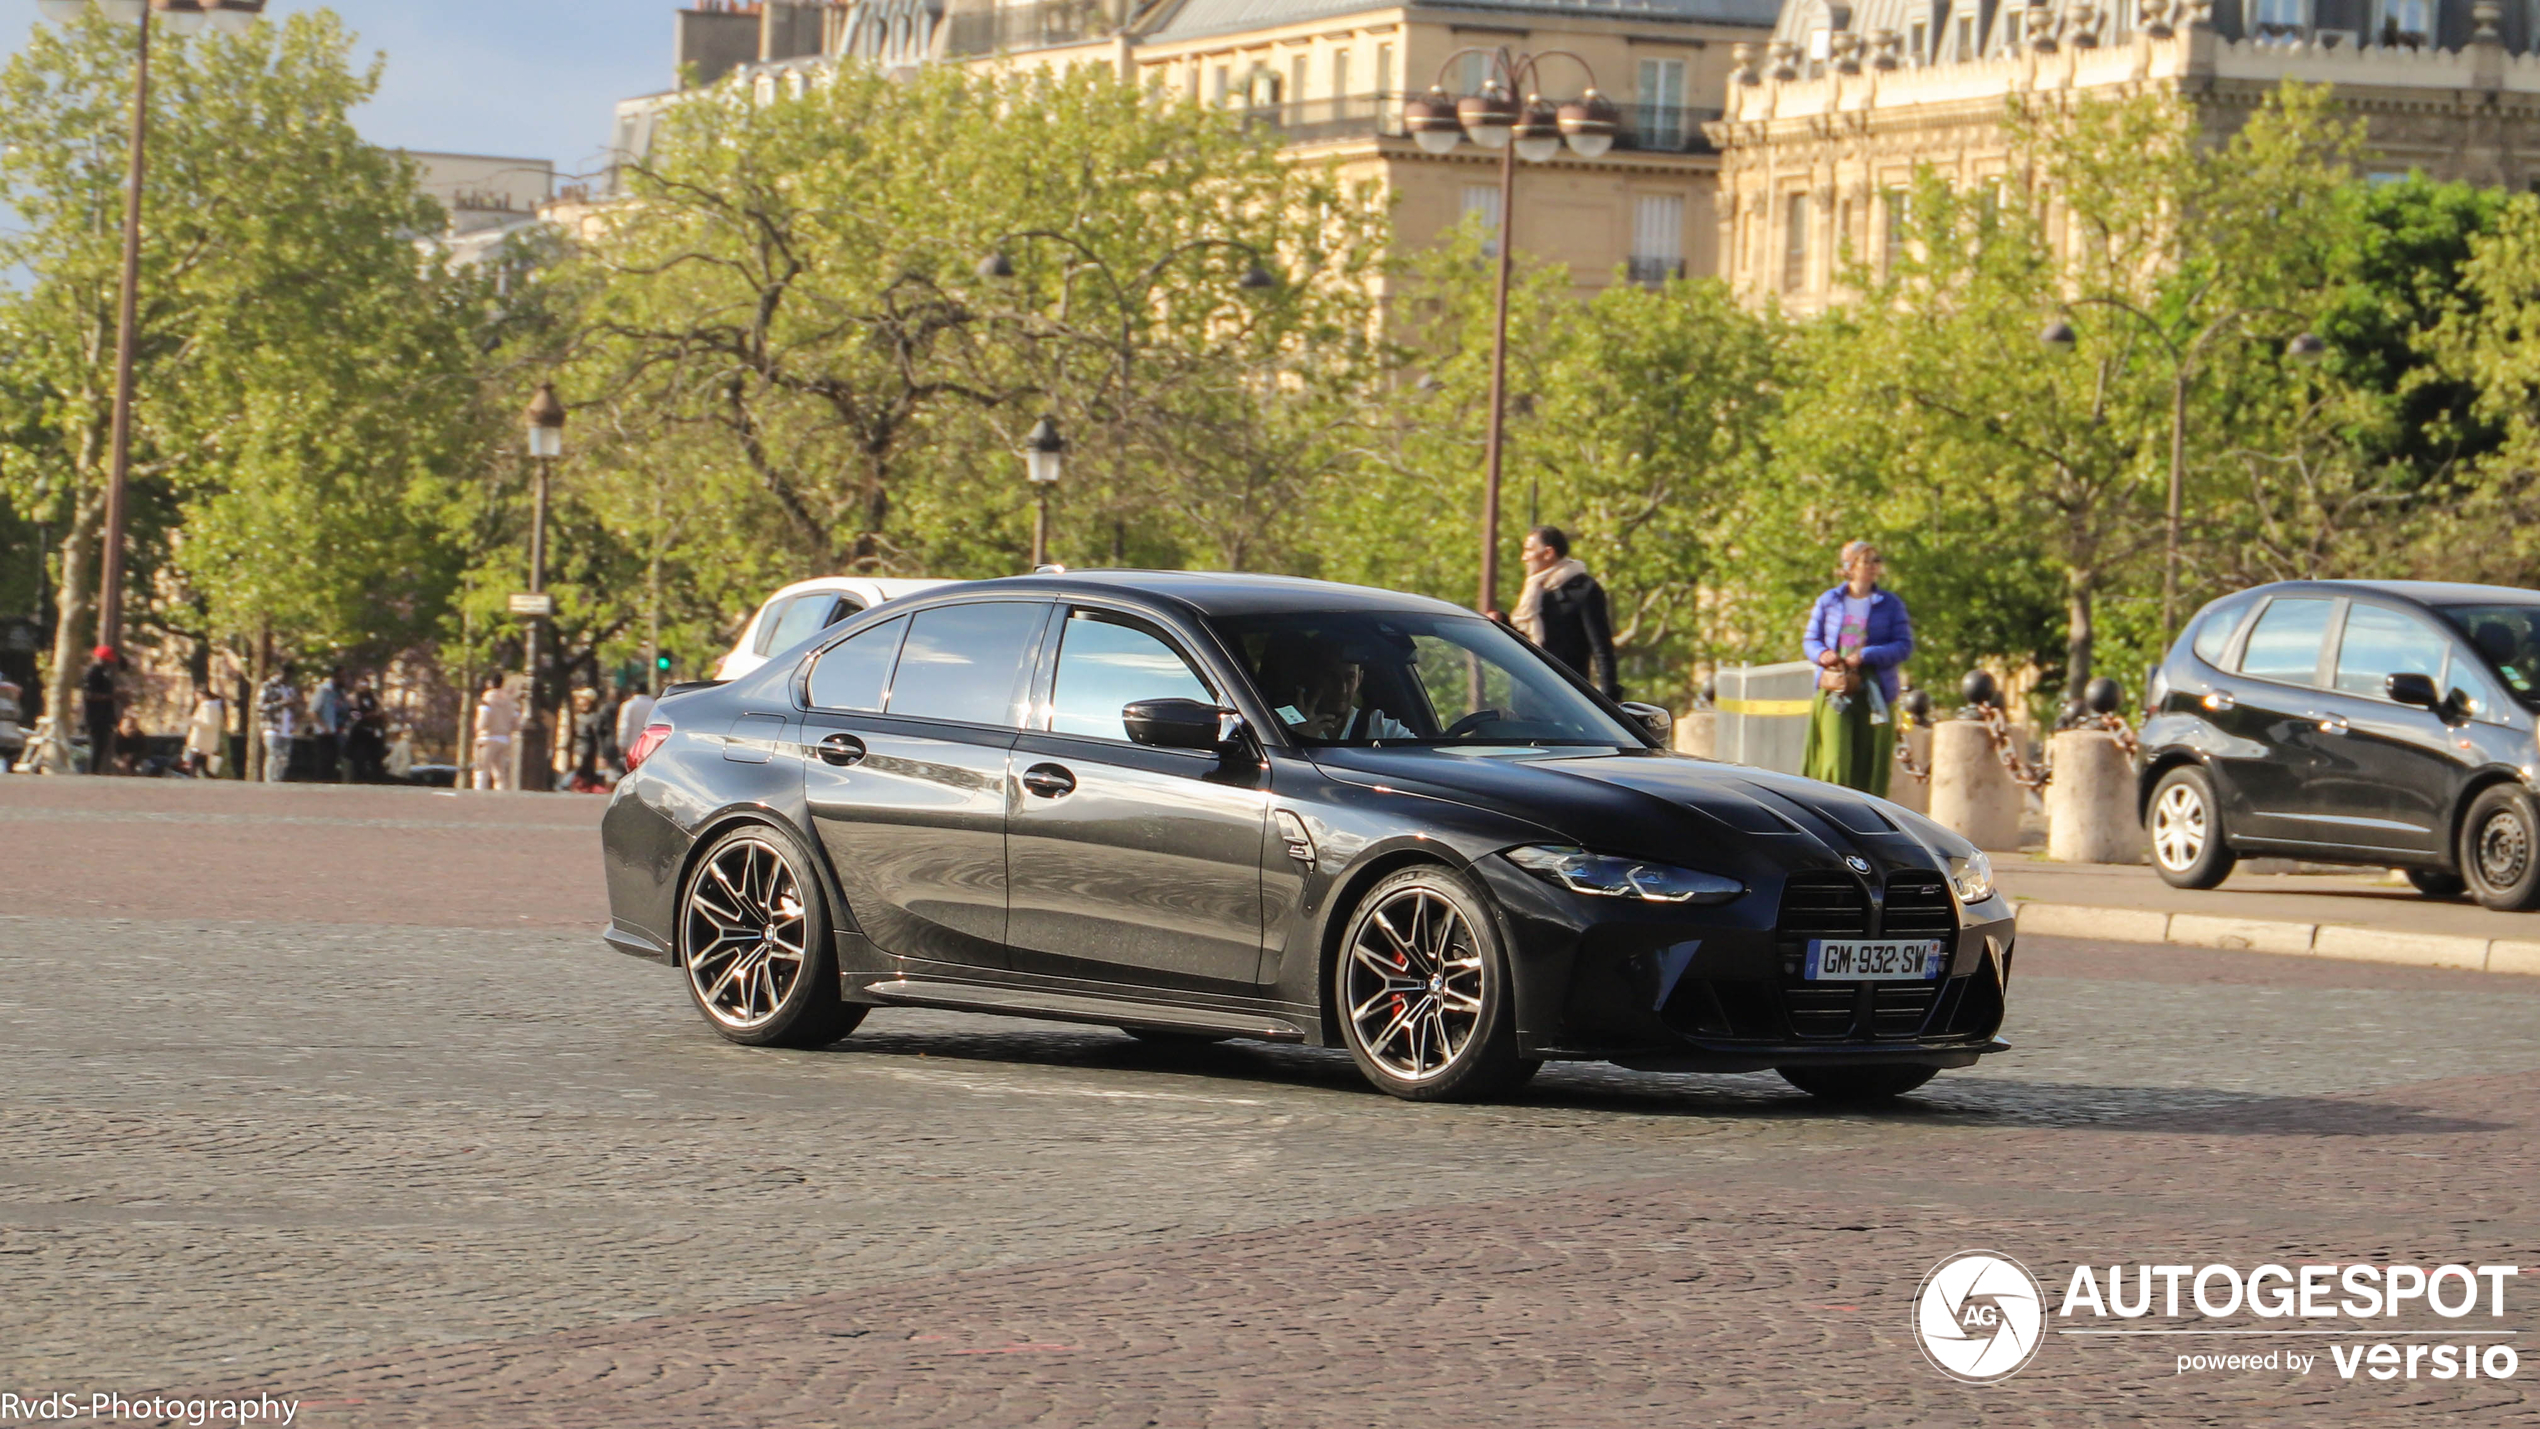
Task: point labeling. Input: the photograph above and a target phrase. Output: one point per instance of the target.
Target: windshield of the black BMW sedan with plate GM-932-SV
(1411, 679)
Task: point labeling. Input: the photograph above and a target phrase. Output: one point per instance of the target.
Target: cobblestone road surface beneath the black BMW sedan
(334, 1095)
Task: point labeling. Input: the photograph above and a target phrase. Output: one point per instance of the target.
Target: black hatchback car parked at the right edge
(2353, 722)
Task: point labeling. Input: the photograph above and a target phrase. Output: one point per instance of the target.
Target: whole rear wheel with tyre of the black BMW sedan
(756, 940)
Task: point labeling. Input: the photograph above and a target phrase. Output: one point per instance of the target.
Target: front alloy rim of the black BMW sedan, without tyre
(1414, 984)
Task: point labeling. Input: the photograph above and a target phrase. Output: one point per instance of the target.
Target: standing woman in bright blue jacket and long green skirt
(1858, 638)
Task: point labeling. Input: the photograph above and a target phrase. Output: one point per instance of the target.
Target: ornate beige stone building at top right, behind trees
(1828, 123)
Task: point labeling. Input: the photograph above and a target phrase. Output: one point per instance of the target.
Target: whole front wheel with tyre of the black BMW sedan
(1424, 991)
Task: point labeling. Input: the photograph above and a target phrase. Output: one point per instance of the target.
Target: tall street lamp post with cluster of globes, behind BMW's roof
(1535, 133)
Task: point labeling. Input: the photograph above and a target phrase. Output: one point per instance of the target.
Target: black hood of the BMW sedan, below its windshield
(1652, 803)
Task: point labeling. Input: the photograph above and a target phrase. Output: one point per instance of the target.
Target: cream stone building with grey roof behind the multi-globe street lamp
(1330, 77)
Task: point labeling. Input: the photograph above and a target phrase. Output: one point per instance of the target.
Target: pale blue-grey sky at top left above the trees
(491, 77)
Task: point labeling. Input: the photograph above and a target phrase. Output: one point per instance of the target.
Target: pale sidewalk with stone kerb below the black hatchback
(2308, 915)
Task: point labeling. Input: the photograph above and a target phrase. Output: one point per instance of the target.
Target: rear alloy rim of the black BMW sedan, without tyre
(743, 935)
